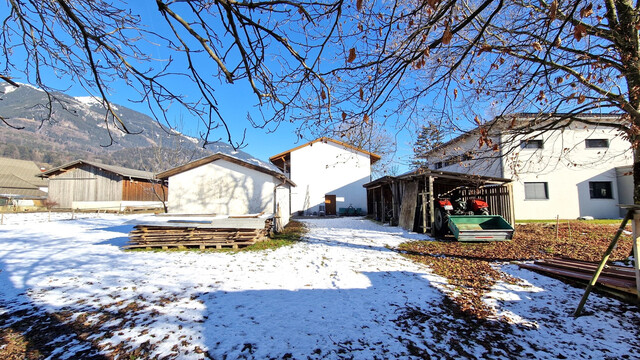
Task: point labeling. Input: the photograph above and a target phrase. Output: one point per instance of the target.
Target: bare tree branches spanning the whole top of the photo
(339, 64)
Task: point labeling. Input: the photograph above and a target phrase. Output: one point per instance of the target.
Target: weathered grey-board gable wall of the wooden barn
(84, 183)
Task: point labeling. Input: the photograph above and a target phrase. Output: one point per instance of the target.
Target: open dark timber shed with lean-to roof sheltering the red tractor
(408, 200)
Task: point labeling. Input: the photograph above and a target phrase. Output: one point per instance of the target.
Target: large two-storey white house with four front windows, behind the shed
(578, 167)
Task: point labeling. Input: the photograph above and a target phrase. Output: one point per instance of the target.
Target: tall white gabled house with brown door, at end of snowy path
(328, 174)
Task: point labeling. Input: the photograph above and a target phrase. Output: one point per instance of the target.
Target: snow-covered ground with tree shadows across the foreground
(341, 293)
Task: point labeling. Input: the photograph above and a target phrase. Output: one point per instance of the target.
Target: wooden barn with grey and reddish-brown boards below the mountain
(83, 184)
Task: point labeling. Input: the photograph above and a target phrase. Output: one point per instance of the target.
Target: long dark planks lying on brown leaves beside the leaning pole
(618, 280)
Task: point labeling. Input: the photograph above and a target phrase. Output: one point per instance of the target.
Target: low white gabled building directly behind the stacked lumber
(223, 184)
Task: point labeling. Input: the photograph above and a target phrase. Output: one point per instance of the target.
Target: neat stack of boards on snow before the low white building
(189, 234)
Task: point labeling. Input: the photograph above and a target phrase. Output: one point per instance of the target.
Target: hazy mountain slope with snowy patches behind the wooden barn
(77, 130)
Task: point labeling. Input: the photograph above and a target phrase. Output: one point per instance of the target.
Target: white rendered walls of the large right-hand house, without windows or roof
(567, 166)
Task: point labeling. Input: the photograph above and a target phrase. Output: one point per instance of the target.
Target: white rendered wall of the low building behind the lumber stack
(222, 188)
